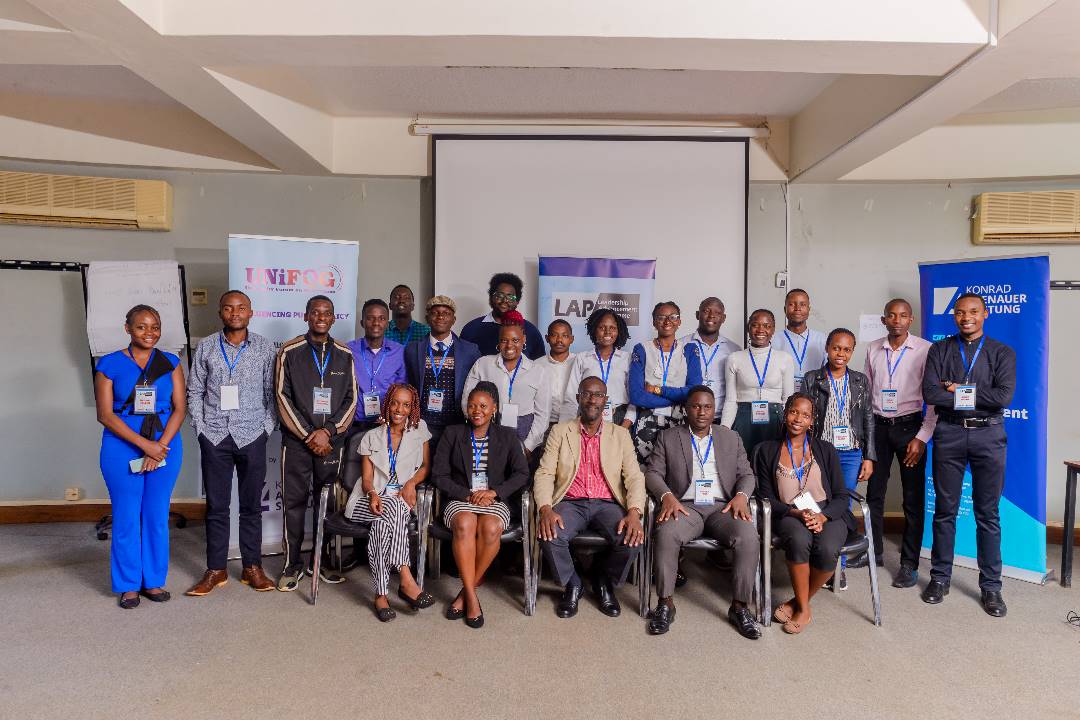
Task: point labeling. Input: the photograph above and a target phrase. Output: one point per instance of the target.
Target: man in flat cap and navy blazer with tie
(438, 365)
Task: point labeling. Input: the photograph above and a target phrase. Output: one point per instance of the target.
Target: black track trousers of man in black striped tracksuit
(303, 478)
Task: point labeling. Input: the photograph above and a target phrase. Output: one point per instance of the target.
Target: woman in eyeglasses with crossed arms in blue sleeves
(661, 374)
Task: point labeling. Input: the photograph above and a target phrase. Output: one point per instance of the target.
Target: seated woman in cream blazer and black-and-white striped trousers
(395, 463)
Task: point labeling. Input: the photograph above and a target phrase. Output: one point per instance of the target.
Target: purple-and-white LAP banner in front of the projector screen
(572, 289)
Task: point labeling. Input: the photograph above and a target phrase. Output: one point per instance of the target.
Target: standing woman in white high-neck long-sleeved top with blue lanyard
(759, 381)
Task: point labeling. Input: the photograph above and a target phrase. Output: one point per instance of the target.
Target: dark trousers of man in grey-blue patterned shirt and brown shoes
(219, 463)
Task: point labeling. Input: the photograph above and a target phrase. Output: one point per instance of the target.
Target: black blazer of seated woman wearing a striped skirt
(508, 472)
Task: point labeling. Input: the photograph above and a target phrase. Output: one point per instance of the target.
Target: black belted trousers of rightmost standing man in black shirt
(984, 451)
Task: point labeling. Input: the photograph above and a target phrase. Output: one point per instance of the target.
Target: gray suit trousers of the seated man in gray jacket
(740, 536)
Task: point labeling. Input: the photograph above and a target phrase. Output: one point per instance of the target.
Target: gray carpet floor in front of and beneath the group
(67, 651)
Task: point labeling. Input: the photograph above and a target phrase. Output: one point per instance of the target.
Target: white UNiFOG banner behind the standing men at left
(279, 275)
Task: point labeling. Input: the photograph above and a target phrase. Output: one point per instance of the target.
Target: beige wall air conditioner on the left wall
(77, 201)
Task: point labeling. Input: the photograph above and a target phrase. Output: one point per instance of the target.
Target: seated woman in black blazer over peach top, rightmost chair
(801, 477)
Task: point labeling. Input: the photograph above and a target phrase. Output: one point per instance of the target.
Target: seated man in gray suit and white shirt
(703, 480)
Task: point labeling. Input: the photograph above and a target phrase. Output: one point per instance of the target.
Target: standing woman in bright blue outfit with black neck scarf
(141, 402)
